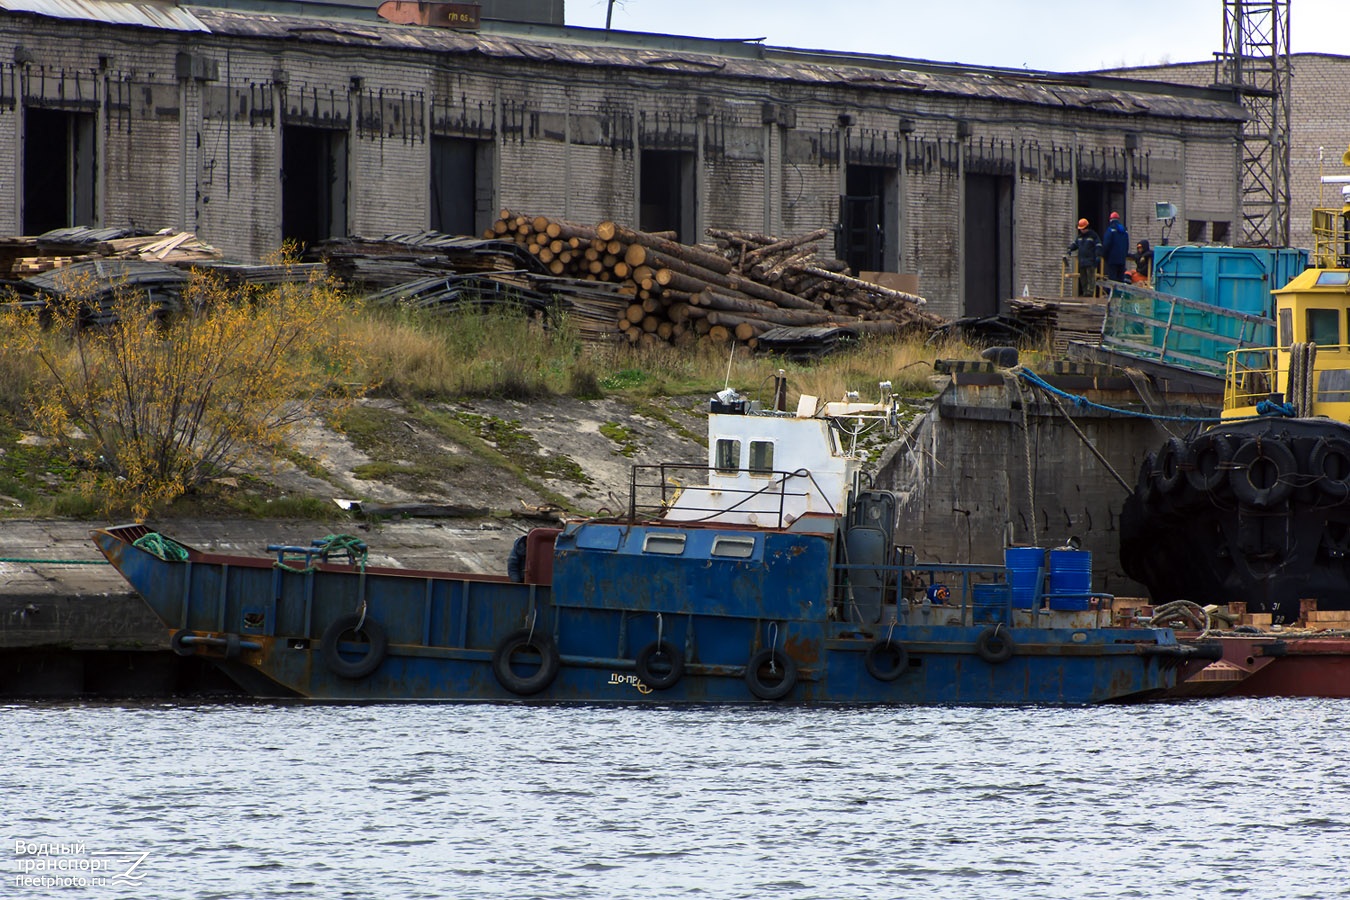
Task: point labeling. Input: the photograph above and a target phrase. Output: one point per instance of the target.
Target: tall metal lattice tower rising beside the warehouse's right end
(1256, 64)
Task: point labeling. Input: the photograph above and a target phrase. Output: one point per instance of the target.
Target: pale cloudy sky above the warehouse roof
(1019, 34)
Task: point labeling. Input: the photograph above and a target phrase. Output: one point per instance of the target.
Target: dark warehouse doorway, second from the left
(314, 184)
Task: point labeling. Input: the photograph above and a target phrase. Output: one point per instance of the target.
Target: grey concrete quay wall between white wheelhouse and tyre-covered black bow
(993, 466)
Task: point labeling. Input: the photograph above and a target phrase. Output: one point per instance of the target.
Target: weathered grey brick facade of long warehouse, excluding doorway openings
(203, 152)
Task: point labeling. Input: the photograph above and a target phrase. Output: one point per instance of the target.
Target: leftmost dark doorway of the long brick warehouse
(59, 171)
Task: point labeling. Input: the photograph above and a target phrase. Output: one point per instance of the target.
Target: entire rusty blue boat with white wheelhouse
(772, 574)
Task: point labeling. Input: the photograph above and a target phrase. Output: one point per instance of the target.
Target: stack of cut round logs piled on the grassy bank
(735, 289)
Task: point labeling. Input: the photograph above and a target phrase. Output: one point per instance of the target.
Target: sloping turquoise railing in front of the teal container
(1177, 331)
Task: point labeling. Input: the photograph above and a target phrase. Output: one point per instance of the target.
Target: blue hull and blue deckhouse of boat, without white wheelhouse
(287, 631)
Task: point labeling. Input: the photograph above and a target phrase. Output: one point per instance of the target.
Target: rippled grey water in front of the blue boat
(1220, 799)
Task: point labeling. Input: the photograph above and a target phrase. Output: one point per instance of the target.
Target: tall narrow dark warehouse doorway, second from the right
(989, 244)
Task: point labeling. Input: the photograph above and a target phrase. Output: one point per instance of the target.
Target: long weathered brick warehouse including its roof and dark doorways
(314, 121)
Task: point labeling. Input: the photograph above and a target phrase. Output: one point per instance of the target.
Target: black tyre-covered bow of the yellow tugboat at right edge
(1255, 512)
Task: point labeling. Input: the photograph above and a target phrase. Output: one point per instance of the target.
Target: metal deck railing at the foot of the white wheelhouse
(655, 489)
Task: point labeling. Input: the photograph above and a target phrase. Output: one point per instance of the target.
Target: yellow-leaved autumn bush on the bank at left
(161, 403)
